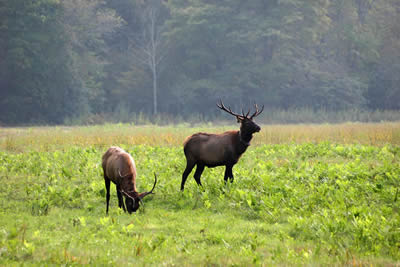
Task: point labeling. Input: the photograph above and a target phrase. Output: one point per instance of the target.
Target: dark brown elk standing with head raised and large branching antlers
(211, 150)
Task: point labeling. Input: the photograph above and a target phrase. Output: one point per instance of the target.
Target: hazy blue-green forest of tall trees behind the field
(62, 59)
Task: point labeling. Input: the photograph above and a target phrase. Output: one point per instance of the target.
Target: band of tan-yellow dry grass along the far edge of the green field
(51, 138)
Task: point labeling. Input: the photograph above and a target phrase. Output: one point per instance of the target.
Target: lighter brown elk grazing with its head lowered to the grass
(119, 167)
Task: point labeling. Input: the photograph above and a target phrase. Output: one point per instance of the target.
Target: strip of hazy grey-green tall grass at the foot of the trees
(269, 116)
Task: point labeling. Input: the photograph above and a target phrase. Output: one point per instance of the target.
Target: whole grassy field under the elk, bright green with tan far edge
(302, 195)
